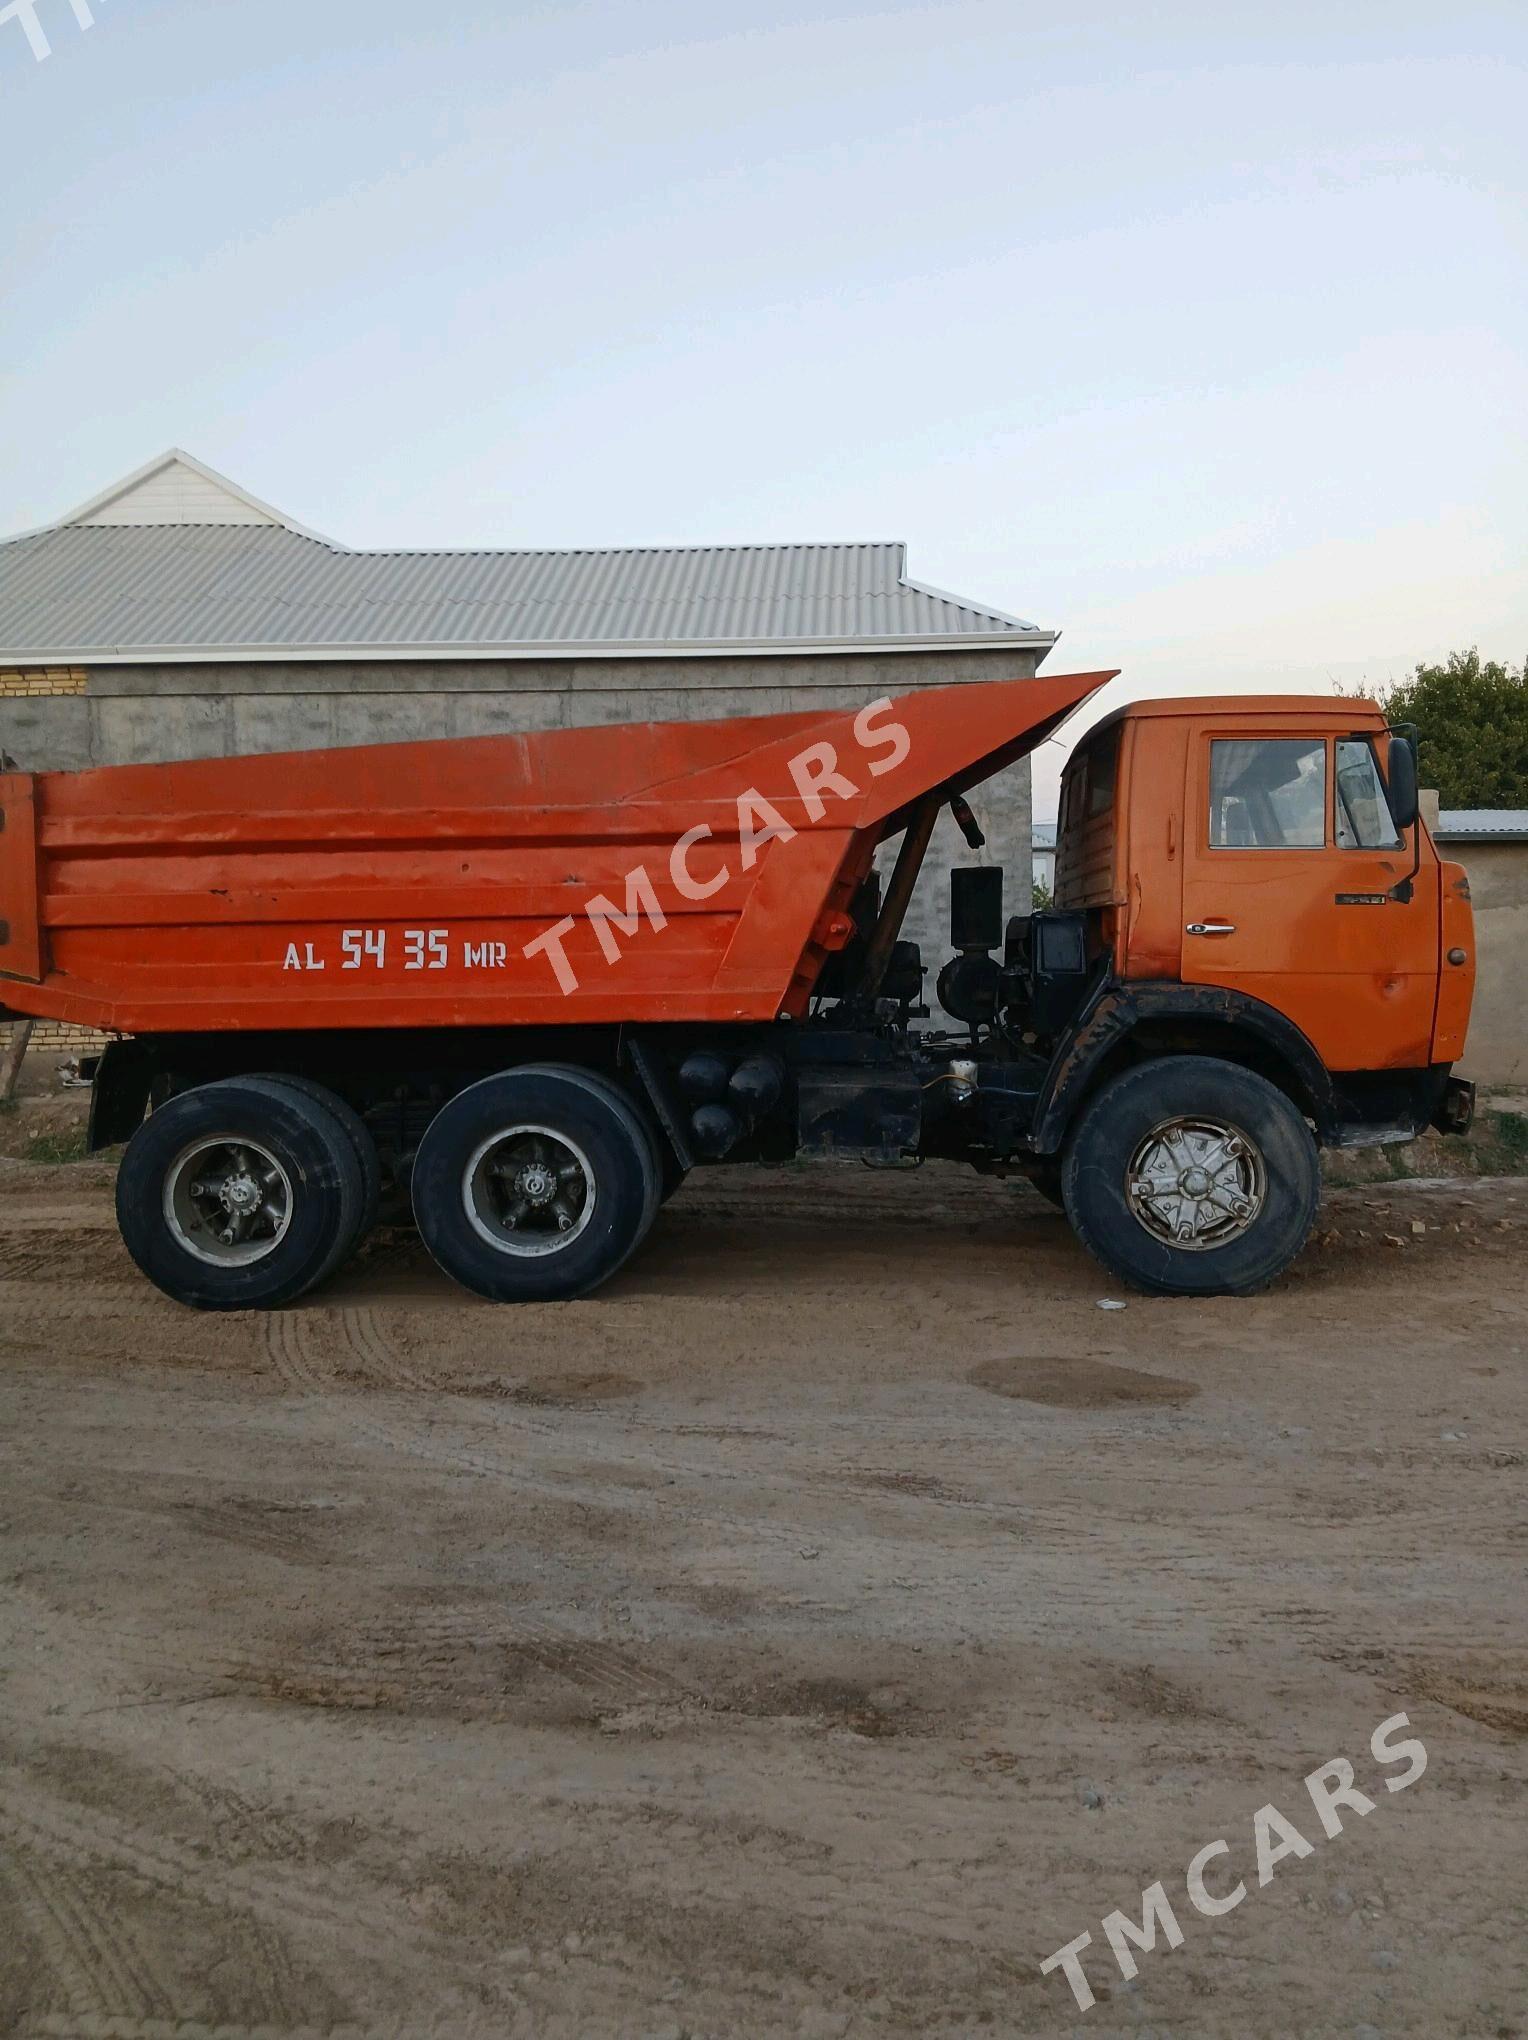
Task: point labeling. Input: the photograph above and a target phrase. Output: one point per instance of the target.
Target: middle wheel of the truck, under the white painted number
(536, 1186)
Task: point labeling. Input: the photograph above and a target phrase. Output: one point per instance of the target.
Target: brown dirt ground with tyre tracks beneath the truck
(807, 1637)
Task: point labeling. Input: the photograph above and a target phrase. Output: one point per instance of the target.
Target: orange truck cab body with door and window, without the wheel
(1254, 850)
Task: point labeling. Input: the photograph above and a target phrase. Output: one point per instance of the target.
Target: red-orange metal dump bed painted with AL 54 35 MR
(417, 884)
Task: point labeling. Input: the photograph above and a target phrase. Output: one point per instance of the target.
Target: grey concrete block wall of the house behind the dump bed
(160, 713)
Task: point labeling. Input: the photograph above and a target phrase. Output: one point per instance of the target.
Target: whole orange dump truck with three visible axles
(525, 984)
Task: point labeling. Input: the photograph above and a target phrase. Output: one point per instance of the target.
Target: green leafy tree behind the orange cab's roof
(1472, 717)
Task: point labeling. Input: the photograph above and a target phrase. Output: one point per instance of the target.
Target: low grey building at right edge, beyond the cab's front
(1492, 846)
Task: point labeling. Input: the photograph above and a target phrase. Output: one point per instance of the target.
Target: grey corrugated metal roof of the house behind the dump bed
(219, 593)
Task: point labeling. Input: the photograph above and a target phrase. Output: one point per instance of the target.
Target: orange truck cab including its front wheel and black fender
(1256, 952)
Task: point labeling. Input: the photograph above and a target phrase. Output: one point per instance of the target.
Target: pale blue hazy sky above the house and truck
(1199, 334)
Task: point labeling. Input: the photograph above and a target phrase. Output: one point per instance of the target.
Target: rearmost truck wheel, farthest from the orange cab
(240, 1194)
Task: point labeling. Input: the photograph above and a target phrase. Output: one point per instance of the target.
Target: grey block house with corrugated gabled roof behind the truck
(176, 617)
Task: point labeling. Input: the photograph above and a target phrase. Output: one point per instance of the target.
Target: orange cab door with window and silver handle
(1290, 880)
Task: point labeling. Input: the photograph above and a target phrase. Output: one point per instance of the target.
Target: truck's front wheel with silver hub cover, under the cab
(1188, 1176)
